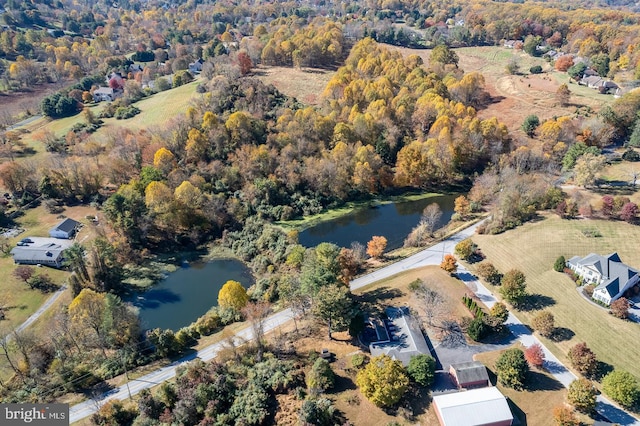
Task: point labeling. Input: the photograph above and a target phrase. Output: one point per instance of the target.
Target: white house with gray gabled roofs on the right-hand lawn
(612, 277)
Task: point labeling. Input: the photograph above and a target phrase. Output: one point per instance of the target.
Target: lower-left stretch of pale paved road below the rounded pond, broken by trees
(87, 408)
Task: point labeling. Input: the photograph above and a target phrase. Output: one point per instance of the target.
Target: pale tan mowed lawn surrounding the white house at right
(533, 248)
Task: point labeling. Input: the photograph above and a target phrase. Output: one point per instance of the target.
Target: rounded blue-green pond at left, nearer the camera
(185, 295)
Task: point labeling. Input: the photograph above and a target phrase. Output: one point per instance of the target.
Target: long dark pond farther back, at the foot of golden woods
(393, 221)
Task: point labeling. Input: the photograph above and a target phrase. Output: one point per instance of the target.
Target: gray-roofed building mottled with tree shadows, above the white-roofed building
(402, 336)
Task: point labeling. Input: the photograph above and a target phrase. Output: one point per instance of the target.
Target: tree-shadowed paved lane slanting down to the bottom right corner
(603, 406)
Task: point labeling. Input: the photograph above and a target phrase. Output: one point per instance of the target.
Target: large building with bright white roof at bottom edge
(478, 407)
